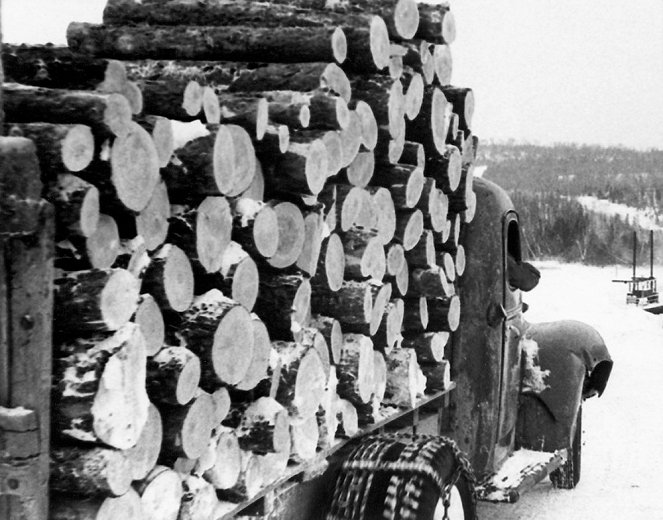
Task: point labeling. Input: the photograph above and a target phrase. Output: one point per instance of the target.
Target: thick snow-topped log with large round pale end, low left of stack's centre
(219, 331)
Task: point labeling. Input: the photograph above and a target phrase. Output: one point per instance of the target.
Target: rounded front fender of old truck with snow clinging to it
(564, 362)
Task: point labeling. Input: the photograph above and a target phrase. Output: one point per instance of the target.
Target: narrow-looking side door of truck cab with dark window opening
(512, 325)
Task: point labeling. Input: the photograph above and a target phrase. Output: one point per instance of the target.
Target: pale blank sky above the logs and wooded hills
(543, 71)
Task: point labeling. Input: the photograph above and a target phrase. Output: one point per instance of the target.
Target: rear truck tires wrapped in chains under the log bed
(405, 495)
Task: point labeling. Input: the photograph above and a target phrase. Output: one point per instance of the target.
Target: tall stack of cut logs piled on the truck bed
(258, 210)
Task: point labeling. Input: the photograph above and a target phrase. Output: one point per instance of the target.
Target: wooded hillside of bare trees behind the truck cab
(545, 183)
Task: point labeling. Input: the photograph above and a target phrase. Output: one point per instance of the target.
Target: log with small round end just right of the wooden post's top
(60, 147)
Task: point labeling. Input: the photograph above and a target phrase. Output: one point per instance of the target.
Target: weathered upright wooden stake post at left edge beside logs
(26, 274)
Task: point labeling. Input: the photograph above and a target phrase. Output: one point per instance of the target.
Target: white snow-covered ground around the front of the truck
(622, 453)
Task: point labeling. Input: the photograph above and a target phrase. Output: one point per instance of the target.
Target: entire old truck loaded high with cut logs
(247, 272)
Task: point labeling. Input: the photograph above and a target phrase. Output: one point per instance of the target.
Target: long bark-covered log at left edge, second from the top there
(106, 114)
